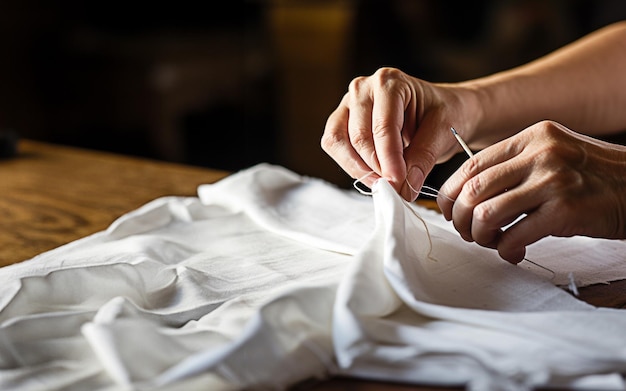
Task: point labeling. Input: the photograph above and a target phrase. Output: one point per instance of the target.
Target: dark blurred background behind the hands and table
(232, 83)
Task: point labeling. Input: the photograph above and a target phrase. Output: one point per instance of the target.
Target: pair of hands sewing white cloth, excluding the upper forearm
(564, 183)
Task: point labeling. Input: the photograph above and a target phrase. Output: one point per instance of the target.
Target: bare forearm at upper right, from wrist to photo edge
(582, 85)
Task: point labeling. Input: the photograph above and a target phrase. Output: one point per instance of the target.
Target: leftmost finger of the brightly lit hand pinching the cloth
(336, 143)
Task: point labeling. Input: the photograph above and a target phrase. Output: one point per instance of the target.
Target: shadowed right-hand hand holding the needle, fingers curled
(564, 183)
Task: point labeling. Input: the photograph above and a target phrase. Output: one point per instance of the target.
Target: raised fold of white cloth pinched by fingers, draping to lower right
(416, 309)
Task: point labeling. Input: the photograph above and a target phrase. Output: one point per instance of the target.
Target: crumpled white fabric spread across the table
(267, 278)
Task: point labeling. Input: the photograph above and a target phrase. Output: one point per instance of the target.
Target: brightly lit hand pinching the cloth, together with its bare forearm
(397, 126)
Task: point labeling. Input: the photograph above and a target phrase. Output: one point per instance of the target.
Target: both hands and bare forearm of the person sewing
(394, 126)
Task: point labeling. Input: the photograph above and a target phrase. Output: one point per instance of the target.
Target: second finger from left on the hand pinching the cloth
(360, 103)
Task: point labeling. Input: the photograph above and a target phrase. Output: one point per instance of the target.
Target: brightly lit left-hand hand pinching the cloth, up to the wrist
(396, 126)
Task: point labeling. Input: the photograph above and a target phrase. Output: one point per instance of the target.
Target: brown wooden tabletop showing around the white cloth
(51, 195)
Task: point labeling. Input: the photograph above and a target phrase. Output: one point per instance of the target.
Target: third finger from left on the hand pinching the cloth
(388, 115)
